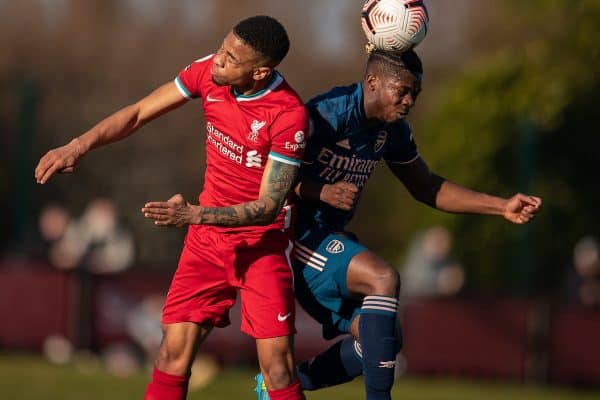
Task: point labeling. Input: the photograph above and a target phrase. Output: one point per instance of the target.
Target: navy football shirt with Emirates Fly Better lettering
(343, 146)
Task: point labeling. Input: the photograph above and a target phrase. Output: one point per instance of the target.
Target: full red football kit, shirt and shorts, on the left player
(242, 132)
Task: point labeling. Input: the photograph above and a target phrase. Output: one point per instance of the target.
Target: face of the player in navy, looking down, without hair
(395, 96)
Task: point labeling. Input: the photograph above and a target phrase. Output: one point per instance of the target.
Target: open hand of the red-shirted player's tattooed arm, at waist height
(173, 212)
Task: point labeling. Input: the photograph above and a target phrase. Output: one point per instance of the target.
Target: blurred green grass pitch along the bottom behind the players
(32, 378)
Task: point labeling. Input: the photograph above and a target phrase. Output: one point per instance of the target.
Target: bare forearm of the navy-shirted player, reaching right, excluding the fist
(454, 198)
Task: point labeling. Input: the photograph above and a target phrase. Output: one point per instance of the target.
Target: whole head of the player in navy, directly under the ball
(391, 85)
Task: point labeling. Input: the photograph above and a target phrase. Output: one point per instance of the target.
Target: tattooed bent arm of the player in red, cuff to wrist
(258, 212)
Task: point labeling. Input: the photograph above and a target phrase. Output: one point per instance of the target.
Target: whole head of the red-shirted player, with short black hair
(250, 52)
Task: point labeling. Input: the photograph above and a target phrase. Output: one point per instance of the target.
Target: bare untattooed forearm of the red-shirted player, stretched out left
(111, 129)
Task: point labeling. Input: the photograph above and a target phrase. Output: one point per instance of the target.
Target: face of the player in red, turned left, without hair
(234, 63)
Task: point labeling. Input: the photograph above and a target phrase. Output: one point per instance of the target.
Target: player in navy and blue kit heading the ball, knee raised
(338, 281)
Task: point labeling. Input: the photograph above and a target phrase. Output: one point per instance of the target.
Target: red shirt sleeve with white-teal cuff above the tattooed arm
(288, 136)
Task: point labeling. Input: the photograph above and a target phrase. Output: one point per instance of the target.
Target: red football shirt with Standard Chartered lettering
(241, 133)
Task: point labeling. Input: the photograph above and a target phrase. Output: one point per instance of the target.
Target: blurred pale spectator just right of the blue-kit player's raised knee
(428, 269)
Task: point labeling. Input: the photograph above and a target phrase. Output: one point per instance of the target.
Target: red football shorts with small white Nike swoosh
(213, 266)
